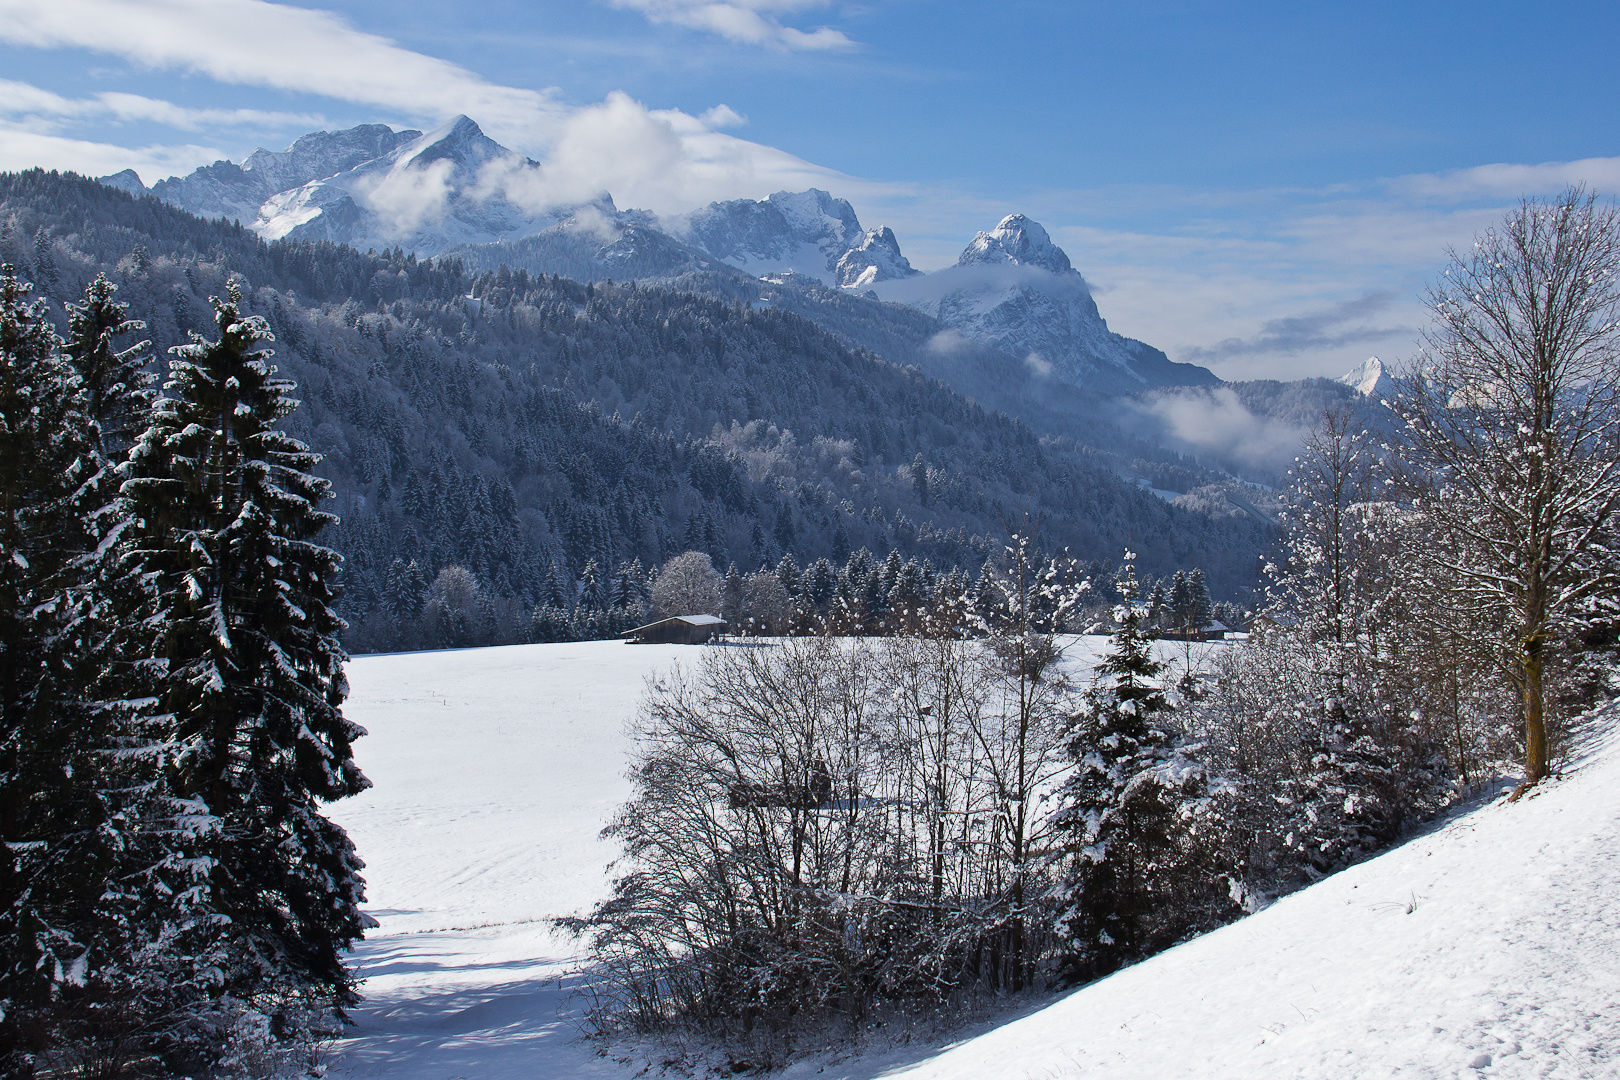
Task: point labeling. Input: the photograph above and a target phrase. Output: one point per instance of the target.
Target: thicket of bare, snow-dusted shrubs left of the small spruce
(825, 831)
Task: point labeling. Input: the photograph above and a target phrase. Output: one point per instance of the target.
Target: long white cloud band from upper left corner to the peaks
(665, 161)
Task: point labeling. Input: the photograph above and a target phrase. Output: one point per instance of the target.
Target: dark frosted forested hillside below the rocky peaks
(526, 427)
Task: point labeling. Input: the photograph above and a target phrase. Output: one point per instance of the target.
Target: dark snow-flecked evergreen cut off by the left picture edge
(48, 449)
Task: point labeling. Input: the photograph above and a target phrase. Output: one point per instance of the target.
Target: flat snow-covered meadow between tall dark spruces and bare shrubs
(493, 772)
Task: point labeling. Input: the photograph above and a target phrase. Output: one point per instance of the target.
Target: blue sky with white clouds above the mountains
(1263, 189)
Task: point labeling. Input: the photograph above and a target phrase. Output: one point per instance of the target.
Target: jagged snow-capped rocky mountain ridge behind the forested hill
(454, 192)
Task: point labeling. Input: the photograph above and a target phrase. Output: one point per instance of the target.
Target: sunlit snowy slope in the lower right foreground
(1488, 948)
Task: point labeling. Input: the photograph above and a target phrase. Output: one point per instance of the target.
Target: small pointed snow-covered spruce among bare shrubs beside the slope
(1140, 827)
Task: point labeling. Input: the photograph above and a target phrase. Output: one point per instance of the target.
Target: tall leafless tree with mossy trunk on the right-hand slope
(1511, 430)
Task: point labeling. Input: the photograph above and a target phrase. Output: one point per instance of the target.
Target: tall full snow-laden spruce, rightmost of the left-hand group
(252, 673)
